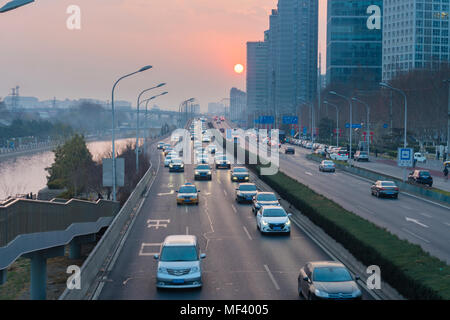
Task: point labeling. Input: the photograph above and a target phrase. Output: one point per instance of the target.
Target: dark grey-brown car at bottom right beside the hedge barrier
(327, 280)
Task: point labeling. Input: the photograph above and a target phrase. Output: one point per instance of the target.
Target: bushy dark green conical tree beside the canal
(73, 167)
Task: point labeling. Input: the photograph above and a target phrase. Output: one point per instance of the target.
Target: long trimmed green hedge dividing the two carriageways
(405, 266)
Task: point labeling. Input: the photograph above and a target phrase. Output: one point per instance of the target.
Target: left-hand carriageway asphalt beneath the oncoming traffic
(240, 263)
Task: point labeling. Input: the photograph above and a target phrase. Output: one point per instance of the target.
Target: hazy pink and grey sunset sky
(193, 45)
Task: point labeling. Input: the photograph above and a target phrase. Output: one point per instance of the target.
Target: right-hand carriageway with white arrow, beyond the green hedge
(419, 221)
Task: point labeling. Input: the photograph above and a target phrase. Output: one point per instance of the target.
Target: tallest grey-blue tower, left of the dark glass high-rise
(292, 41)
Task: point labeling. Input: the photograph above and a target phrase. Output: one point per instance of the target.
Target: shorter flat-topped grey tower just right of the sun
(257, 63)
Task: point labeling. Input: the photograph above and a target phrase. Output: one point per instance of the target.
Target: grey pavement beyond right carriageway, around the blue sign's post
(390, 167)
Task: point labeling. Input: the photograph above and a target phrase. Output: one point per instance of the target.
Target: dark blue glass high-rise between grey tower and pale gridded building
(354, 51)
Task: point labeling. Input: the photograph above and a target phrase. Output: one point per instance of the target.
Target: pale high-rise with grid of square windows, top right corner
(415, 35)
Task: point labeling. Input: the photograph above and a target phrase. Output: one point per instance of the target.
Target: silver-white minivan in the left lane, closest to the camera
(179, 263)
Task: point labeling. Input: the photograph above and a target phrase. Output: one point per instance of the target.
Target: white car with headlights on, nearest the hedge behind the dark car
(273, 219)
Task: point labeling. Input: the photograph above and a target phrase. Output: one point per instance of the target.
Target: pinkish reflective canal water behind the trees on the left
(25, 174)
